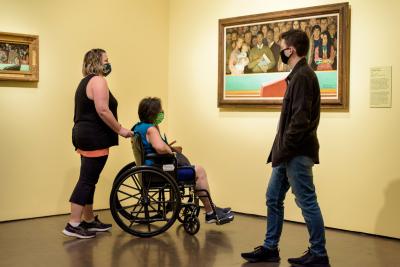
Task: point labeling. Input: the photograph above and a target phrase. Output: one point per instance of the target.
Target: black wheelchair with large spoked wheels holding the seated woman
(146, 200)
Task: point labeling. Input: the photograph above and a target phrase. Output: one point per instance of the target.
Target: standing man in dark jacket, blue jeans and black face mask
(294, 152)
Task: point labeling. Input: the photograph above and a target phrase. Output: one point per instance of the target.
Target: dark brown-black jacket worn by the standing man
(297, 131)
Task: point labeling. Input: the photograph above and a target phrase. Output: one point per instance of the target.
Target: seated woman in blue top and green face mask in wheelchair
(151, 115)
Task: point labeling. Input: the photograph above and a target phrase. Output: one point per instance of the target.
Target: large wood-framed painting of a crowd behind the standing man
(251, 73)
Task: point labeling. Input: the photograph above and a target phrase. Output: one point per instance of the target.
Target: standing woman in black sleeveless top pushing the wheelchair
(96, 129)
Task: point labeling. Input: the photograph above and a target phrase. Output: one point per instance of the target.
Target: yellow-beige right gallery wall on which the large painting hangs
(358, 180)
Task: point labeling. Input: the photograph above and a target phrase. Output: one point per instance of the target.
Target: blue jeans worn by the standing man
(296, 173)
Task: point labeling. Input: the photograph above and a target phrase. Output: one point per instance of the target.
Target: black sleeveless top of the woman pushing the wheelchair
(89, 131)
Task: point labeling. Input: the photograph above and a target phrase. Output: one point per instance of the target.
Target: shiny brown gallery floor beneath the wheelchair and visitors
(39, 242)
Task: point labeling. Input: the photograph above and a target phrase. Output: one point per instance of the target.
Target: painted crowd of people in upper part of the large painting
(254, 48)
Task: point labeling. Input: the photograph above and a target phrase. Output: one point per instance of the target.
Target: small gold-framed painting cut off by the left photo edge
(19, 57)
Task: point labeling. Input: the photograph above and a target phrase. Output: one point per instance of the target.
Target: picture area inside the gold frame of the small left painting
(12, 56)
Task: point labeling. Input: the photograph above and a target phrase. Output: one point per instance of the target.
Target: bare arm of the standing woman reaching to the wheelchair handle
(98, 91)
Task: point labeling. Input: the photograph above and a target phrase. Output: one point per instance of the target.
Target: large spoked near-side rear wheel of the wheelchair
(144, 201)
